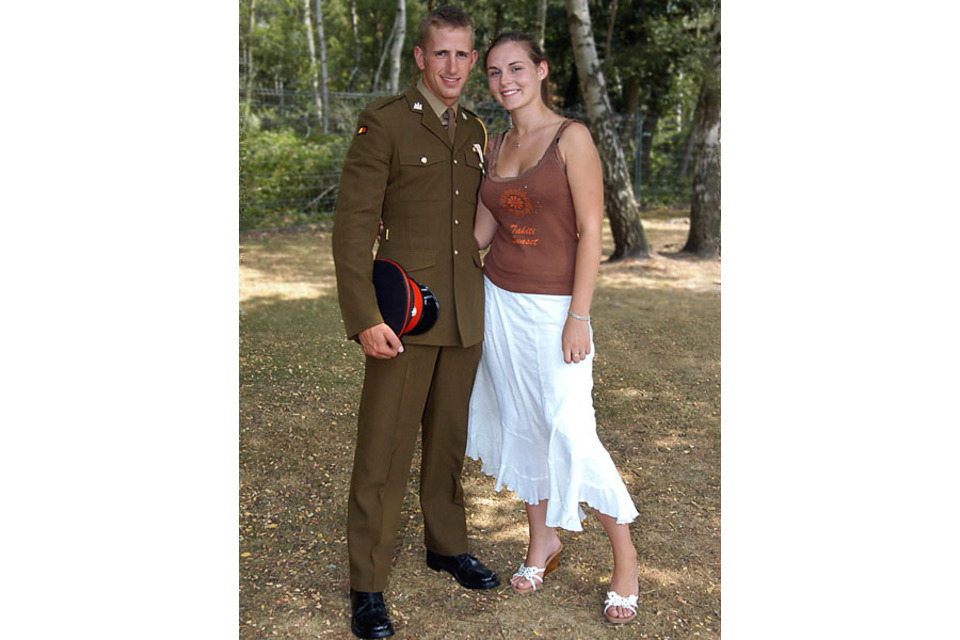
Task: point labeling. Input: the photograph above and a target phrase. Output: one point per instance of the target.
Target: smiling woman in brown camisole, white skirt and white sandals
(532, 422)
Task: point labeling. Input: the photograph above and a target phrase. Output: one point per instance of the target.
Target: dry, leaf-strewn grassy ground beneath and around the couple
(657, 397)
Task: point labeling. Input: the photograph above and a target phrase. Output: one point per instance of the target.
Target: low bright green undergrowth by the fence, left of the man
(288, 180)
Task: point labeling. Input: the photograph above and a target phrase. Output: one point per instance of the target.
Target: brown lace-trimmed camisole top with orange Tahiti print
(535, 245)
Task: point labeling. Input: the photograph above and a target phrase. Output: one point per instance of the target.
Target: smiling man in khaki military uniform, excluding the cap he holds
(414, 166)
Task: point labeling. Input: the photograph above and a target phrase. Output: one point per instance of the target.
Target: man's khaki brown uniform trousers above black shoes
(428, 385)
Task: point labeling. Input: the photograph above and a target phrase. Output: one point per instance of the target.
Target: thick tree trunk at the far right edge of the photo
(704, 237)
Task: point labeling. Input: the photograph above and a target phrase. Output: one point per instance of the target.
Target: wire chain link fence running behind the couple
(290, 167)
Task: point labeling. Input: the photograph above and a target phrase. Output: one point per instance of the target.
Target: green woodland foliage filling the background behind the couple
(289, 174)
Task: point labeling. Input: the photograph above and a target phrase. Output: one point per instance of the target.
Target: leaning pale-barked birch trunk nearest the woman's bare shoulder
(622, 210)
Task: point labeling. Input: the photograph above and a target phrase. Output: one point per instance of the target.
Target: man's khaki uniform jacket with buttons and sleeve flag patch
(402, 169)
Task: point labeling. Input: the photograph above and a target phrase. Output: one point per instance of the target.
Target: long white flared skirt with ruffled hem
(532, 423)
